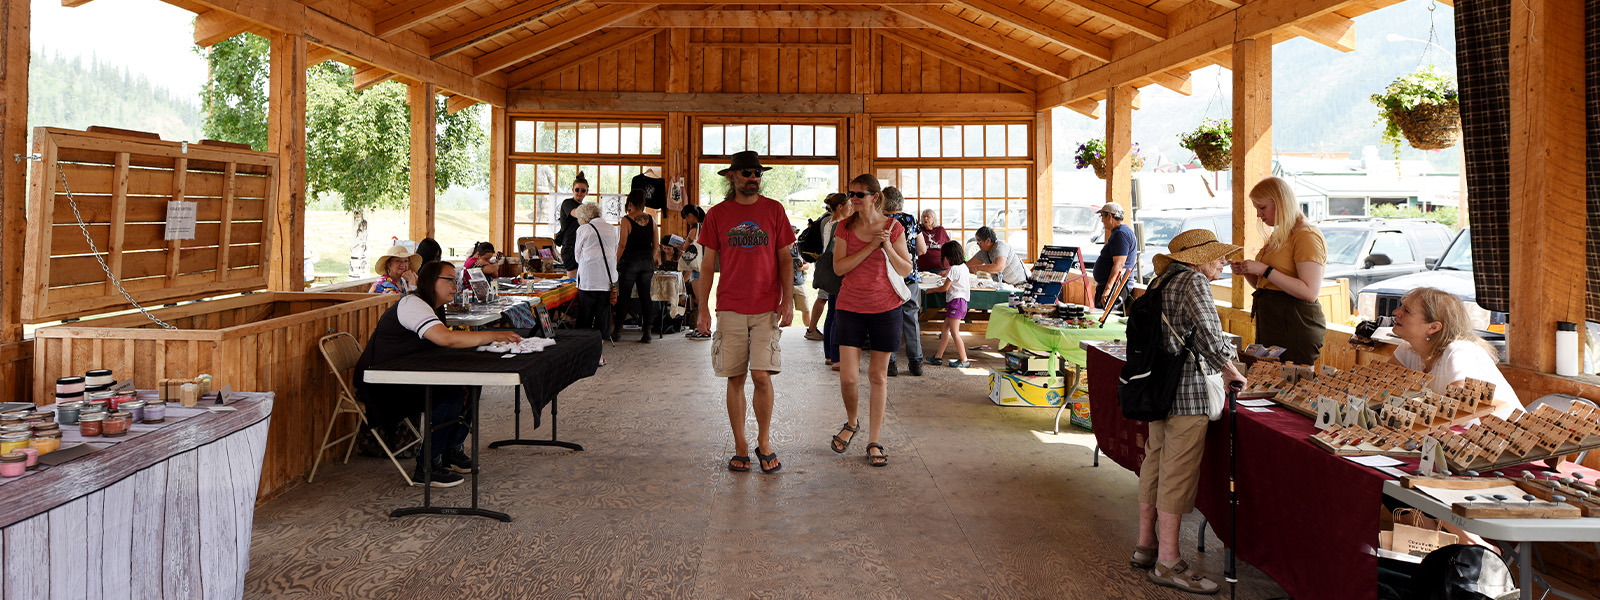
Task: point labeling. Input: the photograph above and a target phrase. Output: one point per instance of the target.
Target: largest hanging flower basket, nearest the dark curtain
(1423, 108)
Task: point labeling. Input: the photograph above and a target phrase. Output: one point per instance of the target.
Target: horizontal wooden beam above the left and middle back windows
(649, 102)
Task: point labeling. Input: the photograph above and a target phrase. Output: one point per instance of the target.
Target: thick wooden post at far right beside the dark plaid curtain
(1548, 209)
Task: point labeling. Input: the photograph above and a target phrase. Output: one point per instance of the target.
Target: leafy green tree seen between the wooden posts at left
(358, 143)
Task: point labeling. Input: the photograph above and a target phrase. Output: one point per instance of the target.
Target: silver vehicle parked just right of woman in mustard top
(1367, 250)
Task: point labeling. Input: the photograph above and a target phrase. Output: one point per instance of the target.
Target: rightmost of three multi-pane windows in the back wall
(972, 175)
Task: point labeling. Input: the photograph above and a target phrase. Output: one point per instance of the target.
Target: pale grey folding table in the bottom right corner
(1513, 535)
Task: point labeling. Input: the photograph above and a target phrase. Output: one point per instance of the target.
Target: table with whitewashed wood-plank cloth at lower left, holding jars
(161, 514)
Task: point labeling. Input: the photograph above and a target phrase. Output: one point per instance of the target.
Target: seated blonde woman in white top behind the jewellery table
(1439, 340)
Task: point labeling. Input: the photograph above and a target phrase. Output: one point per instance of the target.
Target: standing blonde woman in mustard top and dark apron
(1287, 274)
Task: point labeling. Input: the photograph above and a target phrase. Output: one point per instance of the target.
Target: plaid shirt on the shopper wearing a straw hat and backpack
(1190, 310)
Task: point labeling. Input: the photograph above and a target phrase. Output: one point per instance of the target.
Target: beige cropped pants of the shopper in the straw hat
(1170, 474)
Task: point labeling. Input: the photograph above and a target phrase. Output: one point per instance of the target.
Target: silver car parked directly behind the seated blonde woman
(1452, 273)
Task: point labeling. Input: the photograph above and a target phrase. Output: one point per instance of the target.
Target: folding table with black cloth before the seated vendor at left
(542, 375)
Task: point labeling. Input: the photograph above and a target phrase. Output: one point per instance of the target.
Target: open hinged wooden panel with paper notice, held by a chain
(119, 190)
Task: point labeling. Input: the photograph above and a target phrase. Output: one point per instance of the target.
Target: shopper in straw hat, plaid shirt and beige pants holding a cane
(1170, 474)
